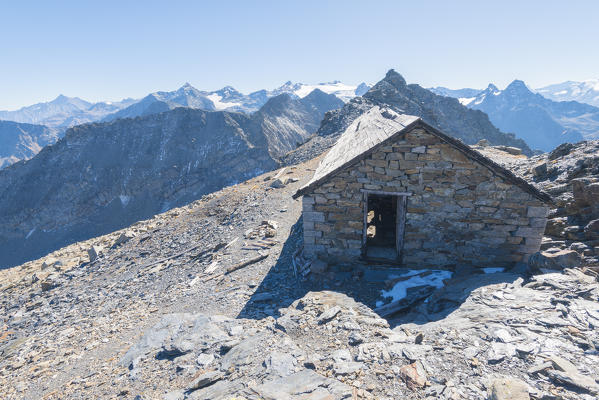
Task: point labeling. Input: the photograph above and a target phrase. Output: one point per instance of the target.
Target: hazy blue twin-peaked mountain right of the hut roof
(542, 123)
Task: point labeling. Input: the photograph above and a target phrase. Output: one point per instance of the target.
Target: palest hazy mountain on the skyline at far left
(63, 112)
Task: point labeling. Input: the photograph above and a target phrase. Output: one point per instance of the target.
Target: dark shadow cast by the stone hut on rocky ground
(364, 283)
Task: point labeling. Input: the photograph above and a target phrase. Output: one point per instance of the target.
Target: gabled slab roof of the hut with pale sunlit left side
(380, 126)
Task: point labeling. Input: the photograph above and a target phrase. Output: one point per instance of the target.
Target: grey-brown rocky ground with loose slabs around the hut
(210, 301)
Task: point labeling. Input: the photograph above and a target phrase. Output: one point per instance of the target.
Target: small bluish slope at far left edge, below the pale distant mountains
(20, 141)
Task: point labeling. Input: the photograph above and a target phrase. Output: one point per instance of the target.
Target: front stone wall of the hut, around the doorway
(459, 212)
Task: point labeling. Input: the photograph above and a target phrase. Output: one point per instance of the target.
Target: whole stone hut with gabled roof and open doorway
(397, 189)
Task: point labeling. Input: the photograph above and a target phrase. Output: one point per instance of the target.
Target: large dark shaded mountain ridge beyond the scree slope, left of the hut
(104, 176)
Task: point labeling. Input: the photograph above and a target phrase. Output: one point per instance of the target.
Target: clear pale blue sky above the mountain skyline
(107, 50)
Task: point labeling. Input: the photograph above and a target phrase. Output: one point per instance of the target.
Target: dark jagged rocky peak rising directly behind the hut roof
(445, 113)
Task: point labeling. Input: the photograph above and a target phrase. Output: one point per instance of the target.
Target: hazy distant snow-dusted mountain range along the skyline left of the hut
(64, 112)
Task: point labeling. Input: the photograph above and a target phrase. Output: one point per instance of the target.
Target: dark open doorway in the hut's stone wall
(381, 227)
